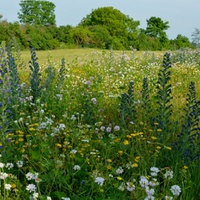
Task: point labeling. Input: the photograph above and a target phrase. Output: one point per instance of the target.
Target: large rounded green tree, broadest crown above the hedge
(121, 28)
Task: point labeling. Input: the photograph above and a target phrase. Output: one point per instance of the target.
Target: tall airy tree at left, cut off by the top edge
(37, 12)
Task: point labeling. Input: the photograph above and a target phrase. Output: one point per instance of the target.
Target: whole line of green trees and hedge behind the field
(103, 28)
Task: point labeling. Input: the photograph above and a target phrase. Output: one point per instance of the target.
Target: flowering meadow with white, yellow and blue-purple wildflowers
(115, 126)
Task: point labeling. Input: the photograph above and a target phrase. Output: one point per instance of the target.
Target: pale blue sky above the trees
(183, 15)
